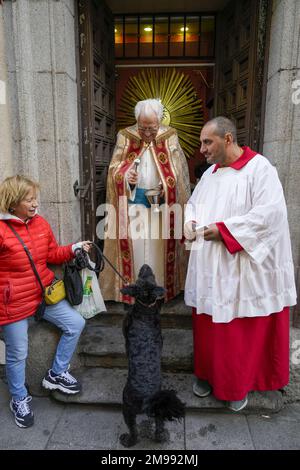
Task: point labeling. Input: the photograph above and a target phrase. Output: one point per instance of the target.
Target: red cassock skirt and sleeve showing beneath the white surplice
(250, 353)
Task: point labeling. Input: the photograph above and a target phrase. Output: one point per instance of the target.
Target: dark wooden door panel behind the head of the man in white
(242, 29)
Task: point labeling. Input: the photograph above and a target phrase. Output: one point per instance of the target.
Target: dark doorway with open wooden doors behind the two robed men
(230, 81)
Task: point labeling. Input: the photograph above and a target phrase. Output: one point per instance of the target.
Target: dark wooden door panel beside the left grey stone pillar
(97, 83)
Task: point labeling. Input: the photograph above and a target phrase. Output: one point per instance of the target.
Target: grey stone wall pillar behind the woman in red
(40, 56)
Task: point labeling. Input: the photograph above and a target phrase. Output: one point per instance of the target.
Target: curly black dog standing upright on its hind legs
(142, 392)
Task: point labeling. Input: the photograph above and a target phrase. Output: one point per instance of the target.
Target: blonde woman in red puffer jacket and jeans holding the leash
(20, 293)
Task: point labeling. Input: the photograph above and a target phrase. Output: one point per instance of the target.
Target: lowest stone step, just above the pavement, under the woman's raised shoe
(105, 386)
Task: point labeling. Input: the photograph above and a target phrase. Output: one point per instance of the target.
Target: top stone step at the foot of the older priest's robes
(174, 314)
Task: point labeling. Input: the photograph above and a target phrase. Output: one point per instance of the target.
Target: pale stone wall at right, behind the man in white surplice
(282, 121)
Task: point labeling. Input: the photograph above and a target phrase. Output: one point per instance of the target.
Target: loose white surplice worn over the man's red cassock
(254, 282)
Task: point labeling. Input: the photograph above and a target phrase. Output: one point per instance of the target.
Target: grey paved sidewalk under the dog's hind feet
(61, 426)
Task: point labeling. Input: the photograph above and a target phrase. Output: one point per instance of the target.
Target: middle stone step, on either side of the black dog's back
(102, 346)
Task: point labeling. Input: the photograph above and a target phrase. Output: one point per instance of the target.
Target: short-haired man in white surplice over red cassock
(240, 279)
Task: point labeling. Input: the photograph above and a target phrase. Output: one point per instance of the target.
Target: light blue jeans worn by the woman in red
(64, 317)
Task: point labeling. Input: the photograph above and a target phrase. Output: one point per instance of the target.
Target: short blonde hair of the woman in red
(13, 190)
